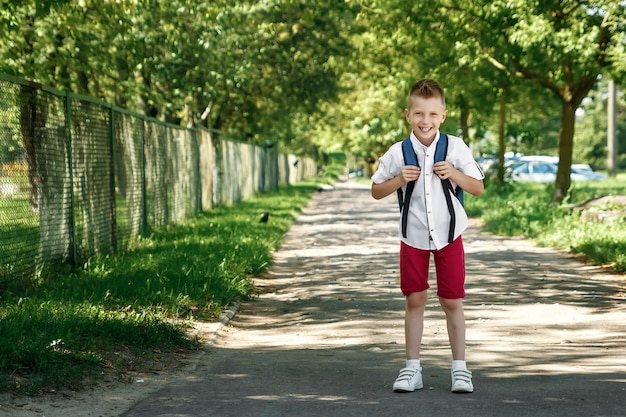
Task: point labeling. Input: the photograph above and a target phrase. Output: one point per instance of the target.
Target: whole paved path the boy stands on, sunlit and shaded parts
(546, 334)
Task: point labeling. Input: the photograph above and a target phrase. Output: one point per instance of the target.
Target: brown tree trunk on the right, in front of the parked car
(566, 144)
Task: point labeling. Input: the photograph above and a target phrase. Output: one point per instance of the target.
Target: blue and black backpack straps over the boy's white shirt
(441, 151)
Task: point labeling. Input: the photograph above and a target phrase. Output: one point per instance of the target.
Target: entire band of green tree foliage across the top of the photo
(321, 76)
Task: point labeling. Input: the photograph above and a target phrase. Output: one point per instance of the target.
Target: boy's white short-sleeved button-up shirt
(428, 216)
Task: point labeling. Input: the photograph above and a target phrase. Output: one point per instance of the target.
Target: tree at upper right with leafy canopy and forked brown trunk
(560, 46)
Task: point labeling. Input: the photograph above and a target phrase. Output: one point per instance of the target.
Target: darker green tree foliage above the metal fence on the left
(247, 66)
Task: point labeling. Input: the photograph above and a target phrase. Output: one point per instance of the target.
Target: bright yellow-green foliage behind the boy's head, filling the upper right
(540, 59)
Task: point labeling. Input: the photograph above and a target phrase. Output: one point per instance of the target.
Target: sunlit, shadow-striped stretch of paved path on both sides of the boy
(334, 285)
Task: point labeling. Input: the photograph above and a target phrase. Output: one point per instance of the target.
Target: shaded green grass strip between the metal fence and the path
(71, 326)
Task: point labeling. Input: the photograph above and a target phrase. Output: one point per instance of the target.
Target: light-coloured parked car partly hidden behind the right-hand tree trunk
(543, 169)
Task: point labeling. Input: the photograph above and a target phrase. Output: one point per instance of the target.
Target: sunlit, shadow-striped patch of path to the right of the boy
(529, 315)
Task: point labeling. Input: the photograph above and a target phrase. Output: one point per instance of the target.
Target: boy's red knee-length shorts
(449, 267)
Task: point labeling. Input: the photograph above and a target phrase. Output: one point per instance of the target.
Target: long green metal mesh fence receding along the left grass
(80, 177)
